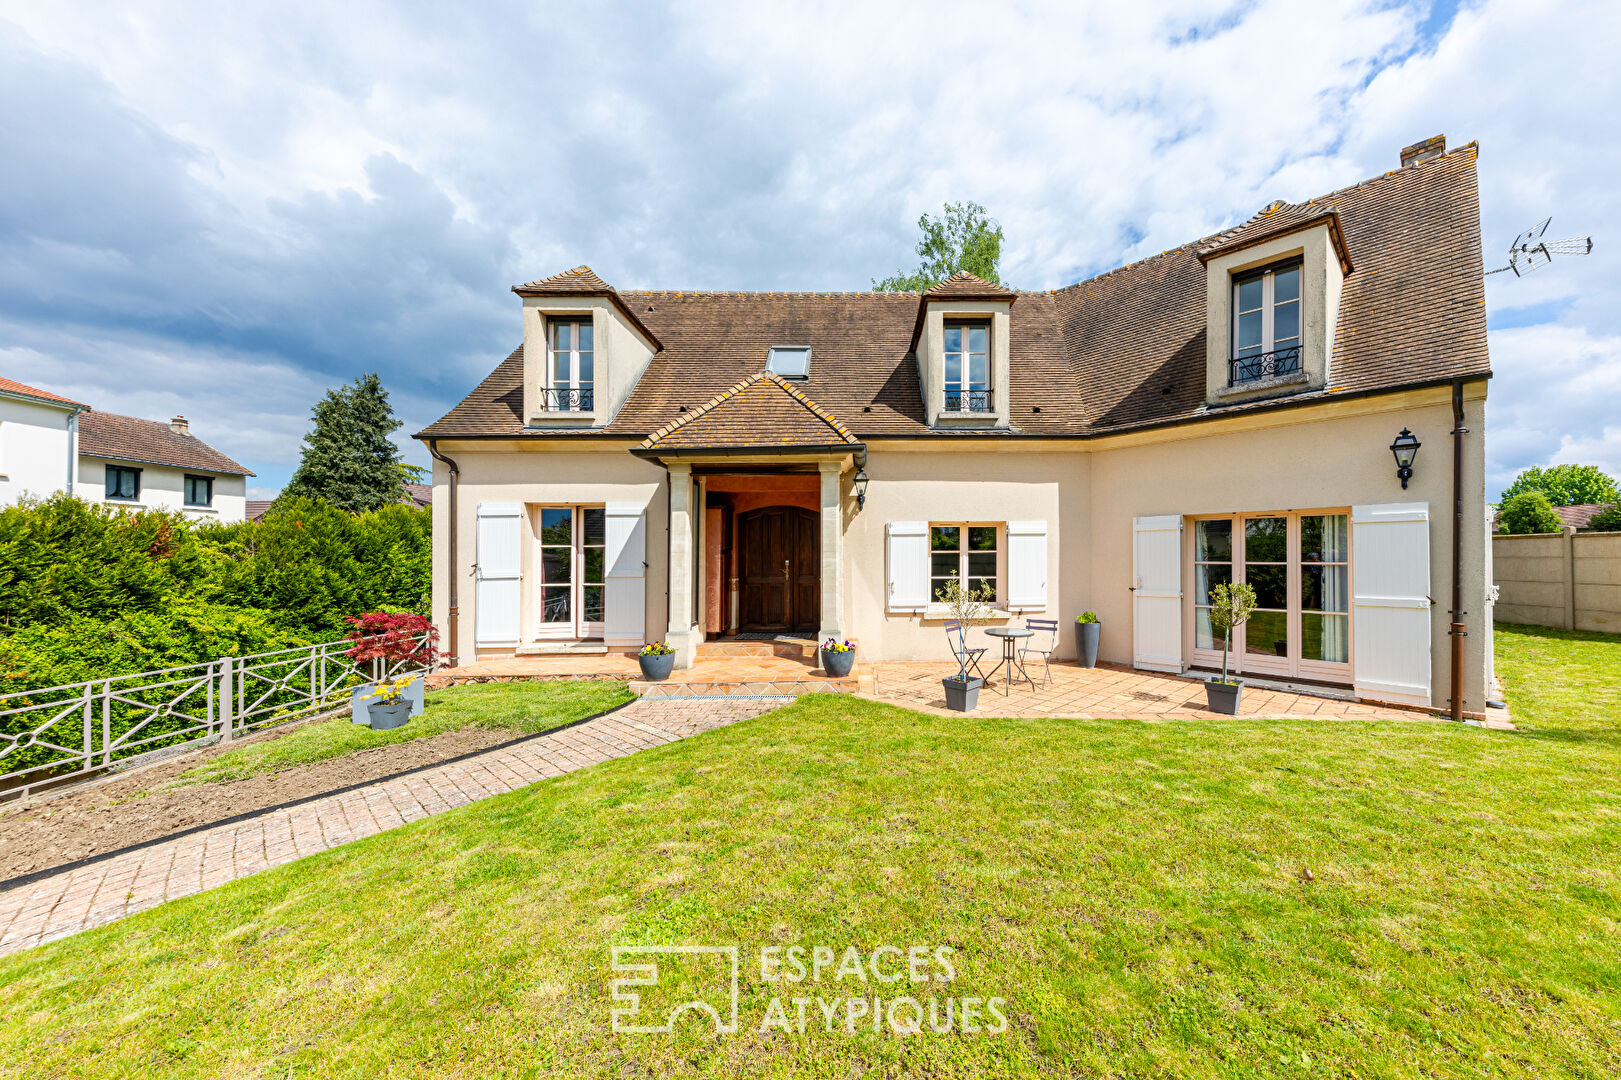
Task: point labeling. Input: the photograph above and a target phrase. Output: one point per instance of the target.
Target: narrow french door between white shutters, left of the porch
(571, 560)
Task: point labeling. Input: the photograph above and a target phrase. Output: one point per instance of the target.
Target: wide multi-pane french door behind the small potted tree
(1299, 565)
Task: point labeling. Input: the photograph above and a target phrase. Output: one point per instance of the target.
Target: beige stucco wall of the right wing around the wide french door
(1304, 466)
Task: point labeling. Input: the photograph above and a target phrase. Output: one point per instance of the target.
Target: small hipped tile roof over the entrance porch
(761, 411)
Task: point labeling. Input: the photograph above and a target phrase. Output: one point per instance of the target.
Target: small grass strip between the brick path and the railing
(515, 708)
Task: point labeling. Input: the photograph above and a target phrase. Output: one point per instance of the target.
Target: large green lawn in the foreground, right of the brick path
(1134, 891)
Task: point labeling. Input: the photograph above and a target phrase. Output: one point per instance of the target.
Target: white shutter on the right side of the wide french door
(1390, 568)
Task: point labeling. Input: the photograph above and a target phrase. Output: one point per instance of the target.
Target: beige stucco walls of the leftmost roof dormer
(620, 358)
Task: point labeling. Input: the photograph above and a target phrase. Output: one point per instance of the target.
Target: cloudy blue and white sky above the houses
(223, 210)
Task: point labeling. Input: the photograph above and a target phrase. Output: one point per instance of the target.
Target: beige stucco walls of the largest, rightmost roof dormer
(1322, 281)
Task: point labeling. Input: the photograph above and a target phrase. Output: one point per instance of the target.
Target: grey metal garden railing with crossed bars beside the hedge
(49, 737)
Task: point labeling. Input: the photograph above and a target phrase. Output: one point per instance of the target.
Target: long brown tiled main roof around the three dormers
(1121, 351)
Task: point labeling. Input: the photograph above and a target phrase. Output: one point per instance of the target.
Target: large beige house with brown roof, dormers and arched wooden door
(691, 466)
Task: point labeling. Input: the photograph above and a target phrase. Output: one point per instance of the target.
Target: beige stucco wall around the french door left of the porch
(531, 476)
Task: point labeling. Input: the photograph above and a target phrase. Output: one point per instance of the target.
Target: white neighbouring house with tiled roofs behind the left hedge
(51, 444)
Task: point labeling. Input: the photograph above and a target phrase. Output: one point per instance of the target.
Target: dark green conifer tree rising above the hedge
(349, 458)
